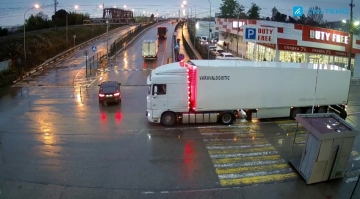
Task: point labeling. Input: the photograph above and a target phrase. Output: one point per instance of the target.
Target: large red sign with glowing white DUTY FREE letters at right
(326, 36)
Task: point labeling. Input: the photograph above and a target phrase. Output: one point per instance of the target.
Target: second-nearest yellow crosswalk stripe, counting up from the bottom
(221, 171)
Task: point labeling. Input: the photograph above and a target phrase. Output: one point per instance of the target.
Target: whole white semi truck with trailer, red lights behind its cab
(209, 91)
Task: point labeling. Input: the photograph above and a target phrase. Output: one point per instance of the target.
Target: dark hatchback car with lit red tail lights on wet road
(109, 92)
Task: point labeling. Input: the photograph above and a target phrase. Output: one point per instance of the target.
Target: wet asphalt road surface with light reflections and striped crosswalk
(59, 140)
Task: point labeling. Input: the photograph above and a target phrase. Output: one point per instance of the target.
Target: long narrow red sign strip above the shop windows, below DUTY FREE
(314, 50)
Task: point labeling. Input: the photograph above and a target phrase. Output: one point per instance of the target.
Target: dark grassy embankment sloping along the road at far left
(41, 46)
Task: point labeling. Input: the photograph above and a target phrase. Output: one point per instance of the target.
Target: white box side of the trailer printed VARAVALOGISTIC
(257, 85)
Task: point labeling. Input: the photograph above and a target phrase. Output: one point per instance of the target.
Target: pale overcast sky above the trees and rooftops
(12, 11)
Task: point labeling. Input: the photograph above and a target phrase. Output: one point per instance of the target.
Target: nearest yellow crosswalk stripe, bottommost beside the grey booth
(258, 179)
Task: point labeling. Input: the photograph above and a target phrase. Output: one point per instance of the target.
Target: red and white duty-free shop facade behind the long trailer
(295, 43)
